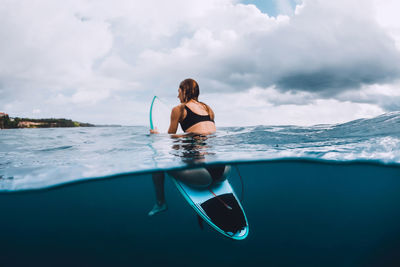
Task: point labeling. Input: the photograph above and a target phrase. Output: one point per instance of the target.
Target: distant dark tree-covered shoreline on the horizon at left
(7, 122)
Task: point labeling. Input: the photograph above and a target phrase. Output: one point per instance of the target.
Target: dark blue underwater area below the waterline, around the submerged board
(301, 213)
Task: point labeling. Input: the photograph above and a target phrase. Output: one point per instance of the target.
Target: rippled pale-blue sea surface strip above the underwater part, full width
(40, 158)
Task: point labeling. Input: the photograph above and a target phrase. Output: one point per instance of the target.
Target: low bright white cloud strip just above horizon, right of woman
(259, 107)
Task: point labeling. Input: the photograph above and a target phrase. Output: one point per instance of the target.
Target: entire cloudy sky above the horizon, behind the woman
(276, 62)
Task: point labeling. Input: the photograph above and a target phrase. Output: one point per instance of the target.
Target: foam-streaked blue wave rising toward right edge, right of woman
(377, 139)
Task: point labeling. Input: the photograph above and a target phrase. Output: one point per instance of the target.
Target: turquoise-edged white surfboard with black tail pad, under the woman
(218, 204)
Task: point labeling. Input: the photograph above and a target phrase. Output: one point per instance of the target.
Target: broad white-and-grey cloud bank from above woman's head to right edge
(323, 48)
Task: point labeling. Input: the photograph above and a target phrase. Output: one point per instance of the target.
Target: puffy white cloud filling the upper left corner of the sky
(46, 42)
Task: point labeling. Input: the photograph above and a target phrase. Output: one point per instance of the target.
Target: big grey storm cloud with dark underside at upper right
(324, 48)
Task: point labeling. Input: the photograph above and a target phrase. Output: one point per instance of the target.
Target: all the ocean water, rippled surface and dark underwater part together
(327, 195)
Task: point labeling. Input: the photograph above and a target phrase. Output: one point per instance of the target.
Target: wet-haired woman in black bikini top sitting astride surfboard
(194, 117)
